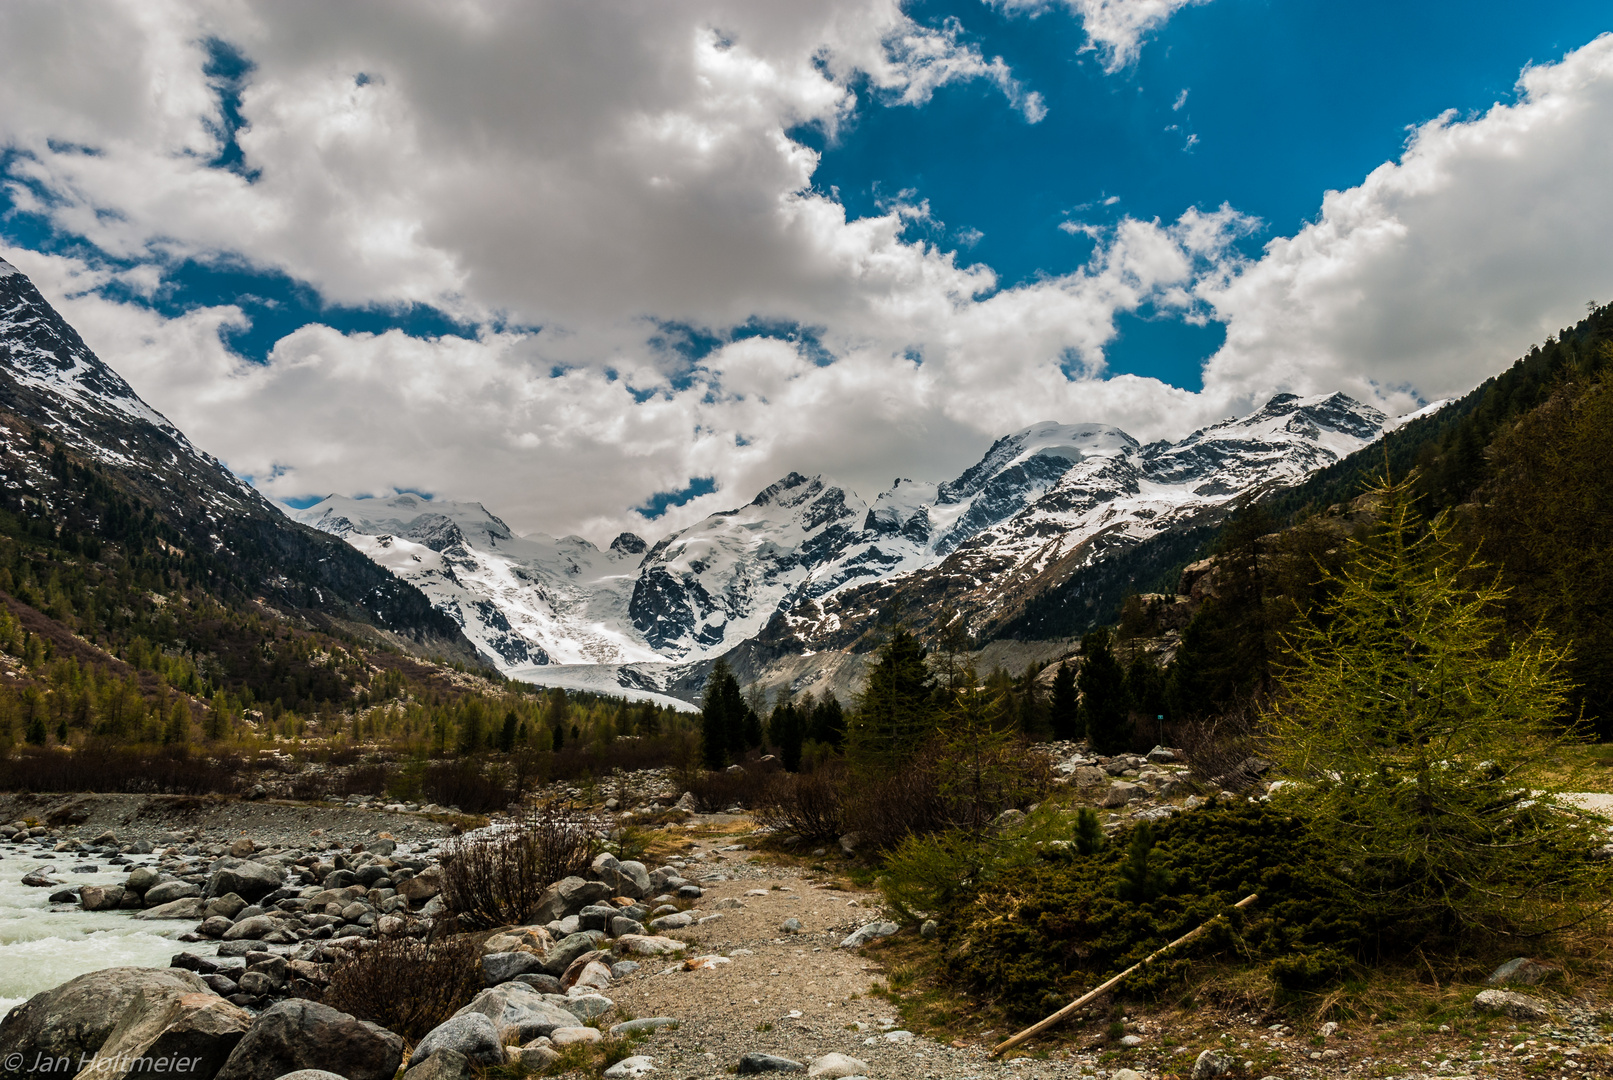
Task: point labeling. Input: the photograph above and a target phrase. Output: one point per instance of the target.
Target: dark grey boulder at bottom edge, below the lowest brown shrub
(302, 1034)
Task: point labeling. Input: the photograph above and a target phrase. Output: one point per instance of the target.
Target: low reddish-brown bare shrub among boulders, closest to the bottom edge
(407, 986)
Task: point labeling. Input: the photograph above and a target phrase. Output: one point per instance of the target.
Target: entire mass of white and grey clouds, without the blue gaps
(590, 183)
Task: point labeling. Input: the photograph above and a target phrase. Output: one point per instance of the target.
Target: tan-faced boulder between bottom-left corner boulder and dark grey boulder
(196, 1029)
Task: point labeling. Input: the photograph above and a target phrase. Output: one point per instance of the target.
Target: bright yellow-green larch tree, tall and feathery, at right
(1425, 741)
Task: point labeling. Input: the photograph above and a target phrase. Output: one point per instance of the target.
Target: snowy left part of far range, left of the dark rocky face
(522, 600)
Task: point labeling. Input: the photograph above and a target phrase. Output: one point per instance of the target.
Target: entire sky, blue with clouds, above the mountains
(552, 275)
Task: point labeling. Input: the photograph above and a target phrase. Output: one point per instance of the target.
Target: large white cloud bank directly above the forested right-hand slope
(1486, 236)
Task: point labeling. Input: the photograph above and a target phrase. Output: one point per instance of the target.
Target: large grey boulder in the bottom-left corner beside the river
(77, 1018)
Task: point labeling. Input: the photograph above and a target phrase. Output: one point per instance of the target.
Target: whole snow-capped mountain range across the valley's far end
(823, 559)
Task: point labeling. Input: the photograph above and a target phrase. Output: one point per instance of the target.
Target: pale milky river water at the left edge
(44, 945)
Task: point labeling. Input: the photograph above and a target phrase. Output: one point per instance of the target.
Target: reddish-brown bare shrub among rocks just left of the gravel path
(498, 878)
